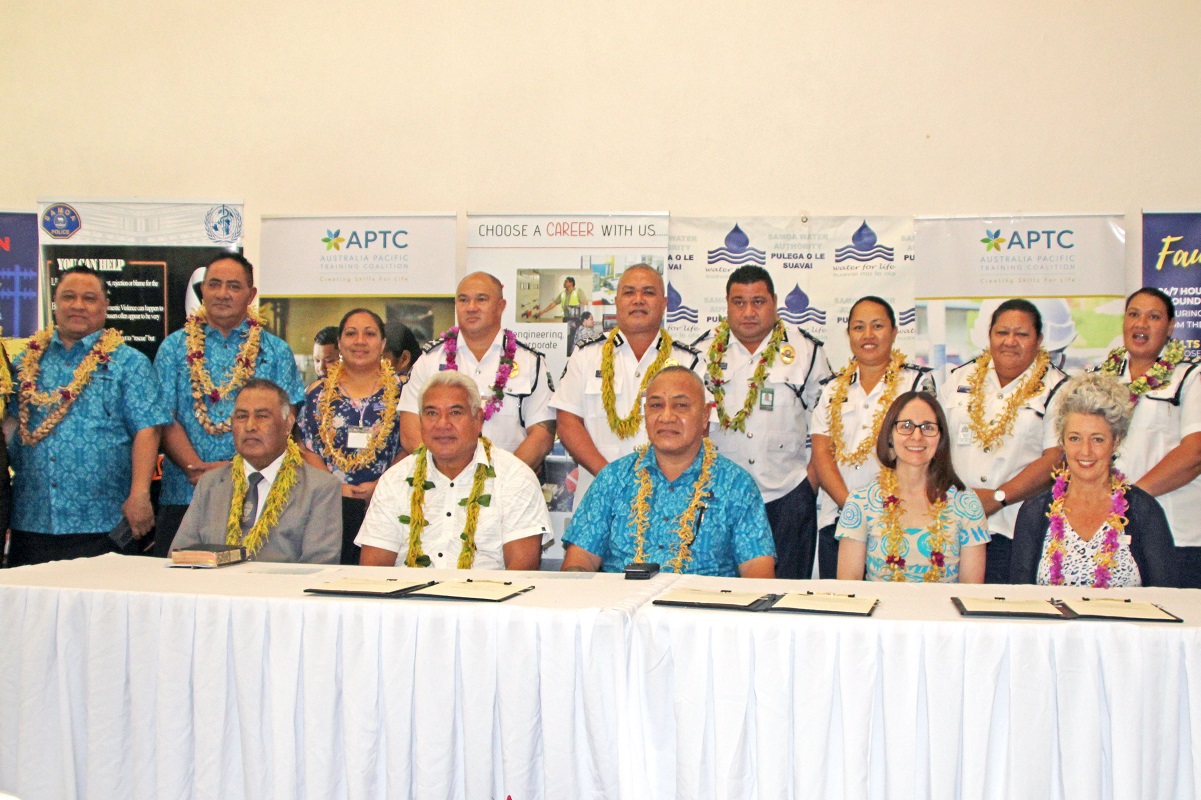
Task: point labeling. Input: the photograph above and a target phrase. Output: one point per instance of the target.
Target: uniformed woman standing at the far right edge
(1163, 452)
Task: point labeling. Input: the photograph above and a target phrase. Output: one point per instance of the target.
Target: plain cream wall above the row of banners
(774, 108)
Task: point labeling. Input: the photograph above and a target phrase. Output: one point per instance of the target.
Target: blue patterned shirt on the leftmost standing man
(76, 480)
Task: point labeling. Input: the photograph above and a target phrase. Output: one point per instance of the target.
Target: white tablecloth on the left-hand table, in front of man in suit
(121, 678)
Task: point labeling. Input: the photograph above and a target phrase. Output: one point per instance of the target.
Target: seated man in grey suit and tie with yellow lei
(268, 500)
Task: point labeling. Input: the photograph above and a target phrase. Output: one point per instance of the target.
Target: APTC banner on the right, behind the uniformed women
(1072, 267)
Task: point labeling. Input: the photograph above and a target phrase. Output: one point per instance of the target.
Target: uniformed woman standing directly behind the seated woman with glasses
(847, 420)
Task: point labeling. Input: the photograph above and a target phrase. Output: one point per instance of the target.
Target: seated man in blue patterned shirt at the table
(676, 502)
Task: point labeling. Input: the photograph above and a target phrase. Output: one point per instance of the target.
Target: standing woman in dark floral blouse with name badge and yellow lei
(349, 425)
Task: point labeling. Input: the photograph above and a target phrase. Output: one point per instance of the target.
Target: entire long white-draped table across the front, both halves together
(121, 678)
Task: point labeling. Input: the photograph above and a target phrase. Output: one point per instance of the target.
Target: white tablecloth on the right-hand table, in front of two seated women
(916, 702)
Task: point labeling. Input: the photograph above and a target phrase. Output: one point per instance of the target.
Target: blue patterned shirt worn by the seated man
(733, 528)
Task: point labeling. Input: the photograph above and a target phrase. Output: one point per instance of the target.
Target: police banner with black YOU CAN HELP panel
(152, 254)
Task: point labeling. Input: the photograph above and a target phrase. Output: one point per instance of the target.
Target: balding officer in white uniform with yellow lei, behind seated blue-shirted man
(640, 347)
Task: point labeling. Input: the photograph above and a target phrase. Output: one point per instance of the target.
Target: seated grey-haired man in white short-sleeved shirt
(457, 502)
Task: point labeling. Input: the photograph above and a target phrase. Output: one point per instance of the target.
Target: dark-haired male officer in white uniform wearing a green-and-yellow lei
(761, 421)
